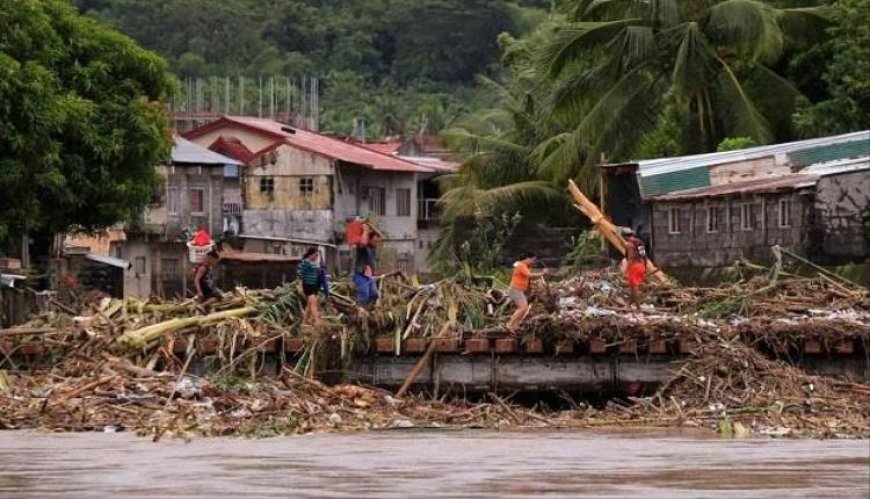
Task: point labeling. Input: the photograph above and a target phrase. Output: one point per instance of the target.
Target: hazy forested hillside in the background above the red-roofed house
(402, 65)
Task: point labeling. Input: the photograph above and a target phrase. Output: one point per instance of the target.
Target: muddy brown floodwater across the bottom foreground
(461, 464)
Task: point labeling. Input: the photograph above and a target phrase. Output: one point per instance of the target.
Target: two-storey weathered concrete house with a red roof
(299, 188)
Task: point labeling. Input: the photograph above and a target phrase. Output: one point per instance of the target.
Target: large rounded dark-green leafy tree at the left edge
(81, 127)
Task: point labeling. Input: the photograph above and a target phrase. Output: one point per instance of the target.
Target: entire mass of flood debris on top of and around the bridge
(115, 366)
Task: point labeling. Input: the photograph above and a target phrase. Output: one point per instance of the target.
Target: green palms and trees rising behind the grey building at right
(614, 80)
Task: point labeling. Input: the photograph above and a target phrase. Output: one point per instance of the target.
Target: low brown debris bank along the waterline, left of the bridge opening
(113, 394)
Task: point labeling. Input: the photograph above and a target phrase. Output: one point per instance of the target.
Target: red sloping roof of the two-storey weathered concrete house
(312, 142)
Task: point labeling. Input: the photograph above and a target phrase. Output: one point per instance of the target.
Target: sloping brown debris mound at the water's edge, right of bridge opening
(734, 388)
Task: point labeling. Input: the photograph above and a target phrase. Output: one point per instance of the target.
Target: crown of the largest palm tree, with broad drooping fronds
(621, 63)
